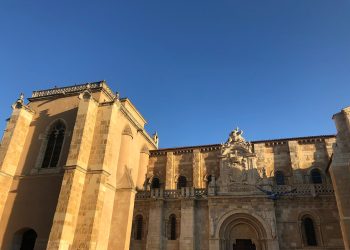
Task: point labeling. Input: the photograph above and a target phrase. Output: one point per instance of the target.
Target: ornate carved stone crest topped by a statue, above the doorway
(238, 172)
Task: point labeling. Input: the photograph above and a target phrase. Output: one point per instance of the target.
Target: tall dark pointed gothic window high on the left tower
(54, 145)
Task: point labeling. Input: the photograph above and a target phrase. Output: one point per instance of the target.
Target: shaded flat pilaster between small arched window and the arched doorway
(187, 236)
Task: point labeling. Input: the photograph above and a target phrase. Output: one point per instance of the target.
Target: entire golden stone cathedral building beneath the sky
(79, 171)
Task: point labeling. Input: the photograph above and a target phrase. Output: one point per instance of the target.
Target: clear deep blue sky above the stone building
(195, 69)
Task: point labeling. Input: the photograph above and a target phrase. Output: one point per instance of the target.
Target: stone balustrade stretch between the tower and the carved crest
(159, 193)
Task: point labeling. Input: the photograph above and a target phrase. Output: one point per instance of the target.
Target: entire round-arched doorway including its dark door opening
(242, 232)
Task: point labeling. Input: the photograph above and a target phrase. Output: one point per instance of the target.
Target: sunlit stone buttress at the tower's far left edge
(11, 148)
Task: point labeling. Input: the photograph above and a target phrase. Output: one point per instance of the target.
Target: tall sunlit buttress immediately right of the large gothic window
(67, 209)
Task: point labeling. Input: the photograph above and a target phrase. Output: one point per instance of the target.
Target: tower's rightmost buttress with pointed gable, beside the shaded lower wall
(119, 237)
